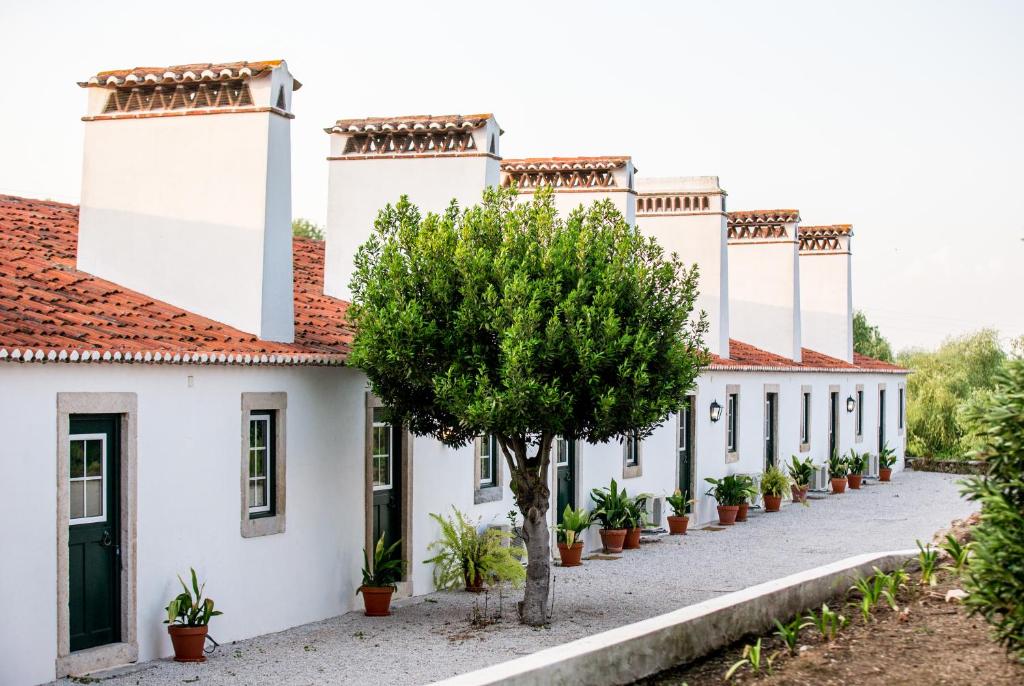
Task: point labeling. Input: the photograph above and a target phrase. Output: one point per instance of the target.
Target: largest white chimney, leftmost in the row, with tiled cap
(187, 190)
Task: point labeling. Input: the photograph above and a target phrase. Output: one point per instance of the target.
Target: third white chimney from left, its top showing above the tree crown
(577, 182)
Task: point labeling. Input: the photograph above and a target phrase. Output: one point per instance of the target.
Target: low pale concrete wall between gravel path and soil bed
(627, 654)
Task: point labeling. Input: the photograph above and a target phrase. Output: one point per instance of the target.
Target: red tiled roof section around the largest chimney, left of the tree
(51, 311)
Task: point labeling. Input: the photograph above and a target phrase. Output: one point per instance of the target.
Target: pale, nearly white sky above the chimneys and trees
(906, 119)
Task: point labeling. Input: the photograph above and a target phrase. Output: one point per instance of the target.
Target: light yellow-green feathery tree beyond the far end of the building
(944, 381)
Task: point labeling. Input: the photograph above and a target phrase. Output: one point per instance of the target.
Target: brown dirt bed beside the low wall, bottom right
(929, 642)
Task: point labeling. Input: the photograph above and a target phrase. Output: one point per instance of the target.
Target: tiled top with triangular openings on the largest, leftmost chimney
(203, 88)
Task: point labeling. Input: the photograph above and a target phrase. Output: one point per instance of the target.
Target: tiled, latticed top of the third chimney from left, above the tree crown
(568, 174)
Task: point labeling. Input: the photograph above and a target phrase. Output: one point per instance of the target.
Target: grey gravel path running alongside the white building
(433, 637)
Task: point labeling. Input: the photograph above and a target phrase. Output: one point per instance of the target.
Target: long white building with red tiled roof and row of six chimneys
(175, 389)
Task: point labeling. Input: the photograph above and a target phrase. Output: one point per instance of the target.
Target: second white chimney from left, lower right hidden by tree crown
(374, 162)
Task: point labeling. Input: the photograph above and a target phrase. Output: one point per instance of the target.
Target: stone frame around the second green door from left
(406, 586)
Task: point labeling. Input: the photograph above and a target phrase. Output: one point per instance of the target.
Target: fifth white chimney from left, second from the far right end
(764, 281)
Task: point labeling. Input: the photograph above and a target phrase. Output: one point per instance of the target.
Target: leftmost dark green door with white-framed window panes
(94, 541)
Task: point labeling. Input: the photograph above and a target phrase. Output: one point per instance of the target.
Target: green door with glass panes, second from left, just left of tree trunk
(387, 464)
